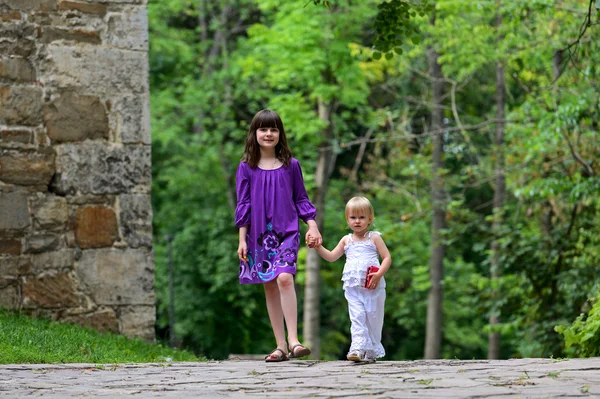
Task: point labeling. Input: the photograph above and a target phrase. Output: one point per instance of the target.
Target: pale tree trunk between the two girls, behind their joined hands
(325, 166)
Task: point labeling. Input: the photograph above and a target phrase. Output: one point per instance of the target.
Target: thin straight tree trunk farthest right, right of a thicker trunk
(498, 209)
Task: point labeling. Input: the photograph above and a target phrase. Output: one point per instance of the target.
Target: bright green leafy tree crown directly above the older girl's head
(293, 76)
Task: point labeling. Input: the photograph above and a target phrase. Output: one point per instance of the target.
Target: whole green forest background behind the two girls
(477, 142)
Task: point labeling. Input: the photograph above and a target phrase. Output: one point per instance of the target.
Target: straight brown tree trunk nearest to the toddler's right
(433, 337)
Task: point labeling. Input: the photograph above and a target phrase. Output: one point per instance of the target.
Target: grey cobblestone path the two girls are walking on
(518, 378)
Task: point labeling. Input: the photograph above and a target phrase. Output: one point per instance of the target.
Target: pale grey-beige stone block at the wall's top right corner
(128, 29)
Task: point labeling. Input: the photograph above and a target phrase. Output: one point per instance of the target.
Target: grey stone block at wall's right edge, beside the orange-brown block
(136, 219)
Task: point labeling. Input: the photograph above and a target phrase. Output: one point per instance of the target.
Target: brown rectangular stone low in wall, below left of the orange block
(50, 291)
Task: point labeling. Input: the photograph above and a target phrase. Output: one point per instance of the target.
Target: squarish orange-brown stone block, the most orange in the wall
(95, 227)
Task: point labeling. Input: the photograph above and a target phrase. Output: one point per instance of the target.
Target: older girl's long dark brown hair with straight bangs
(266, 118)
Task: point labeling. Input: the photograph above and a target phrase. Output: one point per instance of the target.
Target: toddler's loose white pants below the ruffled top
(366, 309)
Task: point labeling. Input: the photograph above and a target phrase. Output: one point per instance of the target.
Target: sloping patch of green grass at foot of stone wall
(27, 340)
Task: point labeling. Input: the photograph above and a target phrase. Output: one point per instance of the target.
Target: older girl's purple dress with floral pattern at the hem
(270, 203)
